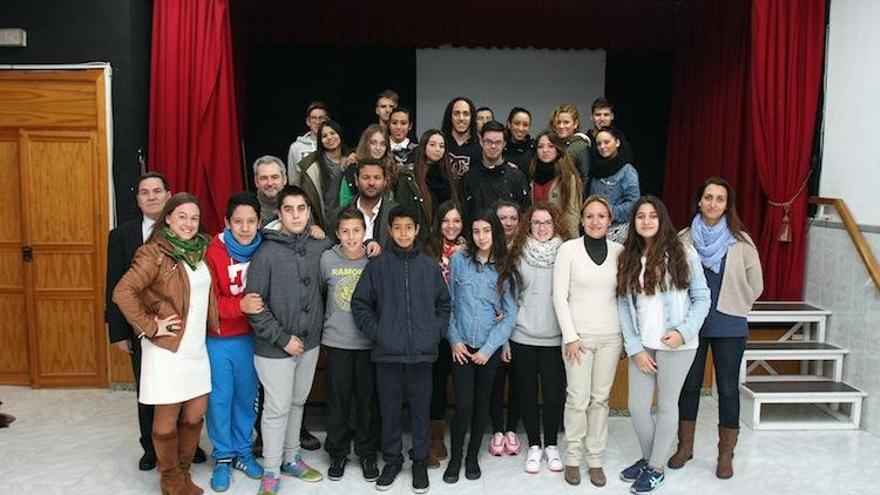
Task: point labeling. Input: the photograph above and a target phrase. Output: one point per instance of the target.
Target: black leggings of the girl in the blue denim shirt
(473, 382)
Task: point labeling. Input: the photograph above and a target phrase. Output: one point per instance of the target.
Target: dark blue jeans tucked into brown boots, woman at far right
(727, 355)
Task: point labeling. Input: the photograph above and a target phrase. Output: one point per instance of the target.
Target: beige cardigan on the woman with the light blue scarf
(743, 279)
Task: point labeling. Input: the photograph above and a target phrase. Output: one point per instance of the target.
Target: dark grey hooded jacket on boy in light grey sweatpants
(285, 272)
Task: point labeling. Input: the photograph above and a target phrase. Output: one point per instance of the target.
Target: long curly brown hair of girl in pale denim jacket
(666, 256)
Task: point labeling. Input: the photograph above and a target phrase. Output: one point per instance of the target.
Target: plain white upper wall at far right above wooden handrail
(851, 144)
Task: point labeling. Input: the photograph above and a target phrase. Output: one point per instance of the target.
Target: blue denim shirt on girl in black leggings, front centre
(475, 305)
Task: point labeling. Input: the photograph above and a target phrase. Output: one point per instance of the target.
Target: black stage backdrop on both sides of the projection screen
(282, 80)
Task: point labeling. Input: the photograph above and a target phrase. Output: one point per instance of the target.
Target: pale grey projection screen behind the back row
(504, 78)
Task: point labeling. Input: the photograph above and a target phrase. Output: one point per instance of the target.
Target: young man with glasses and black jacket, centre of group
(494, 179)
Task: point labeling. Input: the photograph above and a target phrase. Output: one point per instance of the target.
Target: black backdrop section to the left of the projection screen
(282, 80)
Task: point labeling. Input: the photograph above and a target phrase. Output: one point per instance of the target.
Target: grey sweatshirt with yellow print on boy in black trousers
(339, 277)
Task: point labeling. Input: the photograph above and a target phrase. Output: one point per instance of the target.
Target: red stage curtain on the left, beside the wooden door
(194, 138)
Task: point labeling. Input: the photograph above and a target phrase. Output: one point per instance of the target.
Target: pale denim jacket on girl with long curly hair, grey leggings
(684, 310)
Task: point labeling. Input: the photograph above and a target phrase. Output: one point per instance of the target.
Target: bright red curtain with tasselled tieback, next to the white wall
(788, 48)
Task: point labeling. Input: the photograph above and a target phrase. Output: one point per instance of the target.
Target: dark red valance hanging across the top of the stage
(566, 24)
